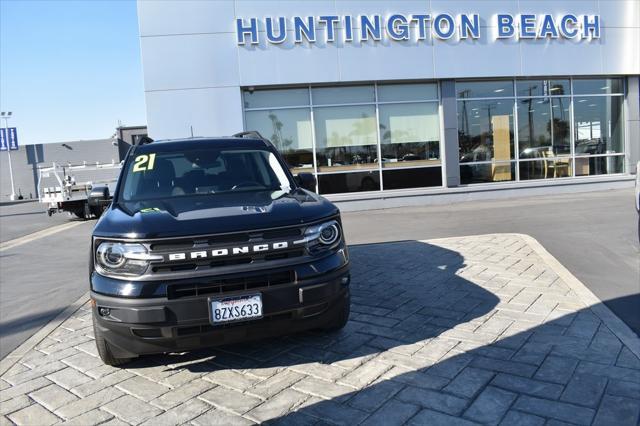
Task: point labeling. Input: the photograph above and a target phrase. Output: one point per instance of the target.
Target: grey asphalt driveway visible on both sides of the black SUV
(594, 235)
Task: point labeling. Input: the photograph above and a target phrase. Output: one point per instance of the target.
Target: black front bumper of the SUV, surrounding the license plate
(136, 326)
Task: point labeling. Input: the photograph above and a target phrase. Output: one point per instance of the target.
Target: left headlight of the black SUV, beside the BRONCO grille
(127, 259)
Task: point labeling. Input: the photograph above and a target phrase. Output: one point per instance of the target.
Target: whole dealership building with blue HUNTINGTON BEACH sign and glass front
(395, 100)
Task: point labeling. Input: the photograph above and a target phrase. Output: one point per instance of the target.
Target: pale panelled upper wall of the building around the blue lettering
(193, 68)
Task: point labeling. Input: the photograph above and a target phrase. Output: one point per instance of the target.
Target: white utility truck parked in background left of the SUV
(72, 188)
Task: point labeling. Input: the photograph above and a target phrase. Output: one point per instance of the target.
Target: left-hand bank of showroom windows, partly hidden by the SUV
(345, 135)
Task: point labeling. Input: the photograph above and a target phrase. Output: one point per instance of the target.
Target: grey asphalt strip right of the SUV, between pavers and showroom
(594, 235)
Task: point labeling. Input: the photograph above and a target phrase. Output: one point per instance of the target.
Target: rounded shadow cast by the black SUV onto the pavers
(403, 293)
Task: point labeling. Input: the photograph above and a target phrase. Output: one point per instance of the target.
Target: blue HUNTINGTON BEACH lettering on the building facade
(398, 27)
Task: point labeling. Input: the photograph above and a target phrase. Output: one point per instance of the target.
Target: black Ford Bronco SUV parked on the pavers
(210, 241)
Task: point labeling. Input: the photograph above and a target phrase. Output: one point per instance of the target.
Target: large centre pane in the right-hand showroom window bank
(543, 127)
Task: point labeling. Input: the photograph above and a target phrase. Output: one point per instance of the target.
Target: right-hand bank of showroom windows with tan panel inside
(547, 149)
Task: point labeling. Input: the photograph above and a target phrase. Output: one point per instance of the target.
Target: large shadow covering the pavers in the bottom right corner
(572, 362)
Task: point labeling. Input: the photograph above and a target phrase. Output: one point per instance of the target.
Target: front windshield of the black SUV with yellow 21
(157, 174)
